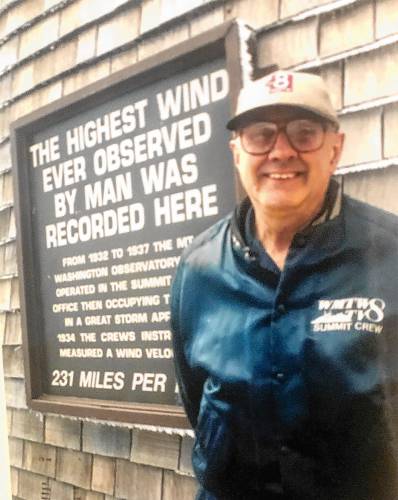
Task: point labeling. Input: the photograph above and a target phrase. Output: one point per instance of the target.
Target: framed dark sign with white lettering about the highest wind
(111, 187)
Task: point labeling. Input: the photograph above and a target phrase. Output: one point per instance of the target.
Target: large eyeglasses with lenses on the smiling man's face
(304, 135)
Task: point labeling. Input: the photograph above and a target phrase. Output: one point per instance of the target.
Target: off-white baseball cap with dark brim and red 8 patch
(283, 88)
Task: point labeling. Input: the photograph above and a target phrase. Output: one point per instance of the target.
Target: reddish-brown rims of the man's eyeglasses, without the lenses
(325, 125)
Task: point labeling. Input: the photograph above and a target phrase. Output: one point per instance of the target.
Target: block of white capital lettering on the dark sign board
(121, 170)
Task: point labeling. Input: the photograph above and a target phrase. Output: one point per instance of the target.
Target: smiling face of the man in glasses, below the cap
(283, 179)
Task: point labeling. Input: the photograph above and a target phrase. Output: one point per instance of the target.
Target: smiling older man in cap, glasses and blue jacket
(284, 316)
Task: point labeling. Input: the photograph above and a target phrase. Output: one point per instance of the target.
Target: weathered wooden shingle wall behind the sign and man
(51, 48)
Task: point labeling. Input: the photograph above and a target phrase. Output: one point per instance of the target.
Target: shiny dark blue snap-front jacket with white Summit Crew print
(290, 379)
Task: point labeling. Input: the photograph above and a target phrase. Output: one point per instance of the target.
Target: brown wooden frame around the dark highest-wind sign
(220, 42)
